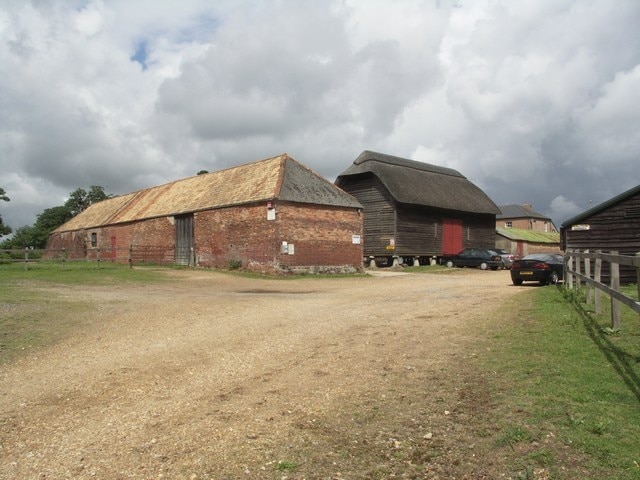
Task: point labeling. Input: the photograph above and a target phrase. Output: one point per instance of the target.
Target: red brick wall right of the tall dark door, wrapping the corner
(321, 237)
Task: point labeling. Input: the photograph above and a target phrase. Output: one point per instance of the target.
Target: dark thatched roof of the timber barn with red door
(418, 183)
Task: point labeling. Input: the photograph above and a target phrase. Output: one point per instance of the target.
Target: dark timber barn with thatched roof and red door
(415, 212)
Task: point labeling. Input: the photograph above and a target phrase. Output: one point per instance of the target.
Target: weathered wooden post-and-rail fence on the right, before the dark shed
(579, 268)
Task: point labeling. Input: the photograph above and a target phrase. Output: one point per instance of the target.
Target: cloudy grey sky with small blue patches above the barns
(534, 101)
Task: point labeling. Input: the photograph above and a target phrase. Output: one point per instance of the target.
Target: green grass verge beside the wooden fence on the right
(567, 390)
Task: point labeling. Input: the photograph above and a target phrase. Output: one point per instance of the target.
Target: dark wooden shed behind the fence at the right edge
(613, 225)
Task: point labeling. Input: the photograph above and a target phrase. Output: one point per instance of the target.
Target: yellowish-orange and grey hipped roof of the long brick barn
(277, 178)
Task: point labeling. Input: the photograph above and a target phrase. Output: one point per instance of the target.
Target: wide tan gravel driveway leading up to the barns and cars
(220, 376)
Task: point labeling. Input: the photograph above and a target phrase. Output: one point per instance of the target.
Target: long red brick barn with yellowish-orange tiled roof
(271, 215)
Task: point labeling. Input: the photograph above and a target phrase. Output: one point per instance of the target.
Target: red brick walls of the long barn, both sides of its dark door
(322, 239)
